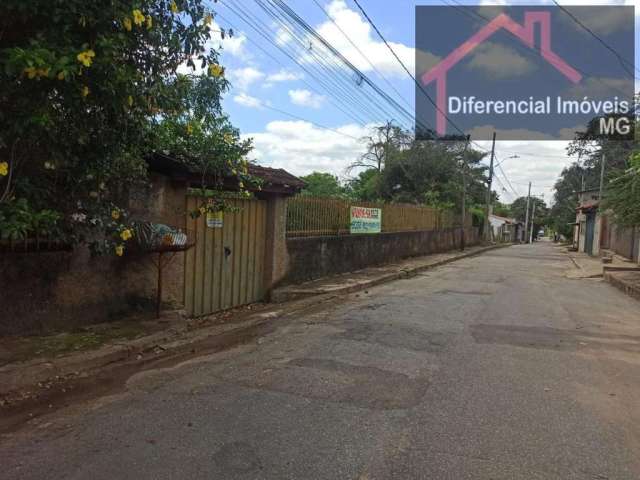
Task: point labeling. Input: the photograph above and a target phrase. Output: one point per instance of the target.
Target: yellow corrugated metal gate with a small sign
(226, 267)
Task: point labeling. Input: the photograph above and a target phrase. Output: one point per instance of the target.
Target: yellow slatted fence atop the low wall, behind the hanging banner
(317, 216)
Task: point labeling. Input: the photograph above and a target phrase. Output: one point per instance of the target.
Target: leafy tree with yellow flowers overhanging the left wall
(87, 90)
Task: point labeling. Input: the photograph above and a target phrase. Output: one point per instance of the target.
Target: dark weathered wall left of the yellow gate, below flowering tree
(42, 292)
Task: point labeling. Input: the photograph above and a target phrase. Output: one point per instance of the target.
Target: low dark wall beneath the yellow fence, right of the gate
(315, 257)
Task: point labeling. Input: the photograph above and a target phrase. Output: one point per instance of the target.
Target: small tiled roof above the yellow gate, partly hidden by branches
(275, 180)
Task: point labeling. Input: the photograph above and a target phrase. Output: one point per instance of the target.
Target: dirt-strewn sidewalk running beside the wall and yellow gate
(37, 379)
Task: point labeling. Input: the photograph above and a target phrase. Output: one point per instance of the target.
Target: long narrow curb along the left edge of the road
(16, 377)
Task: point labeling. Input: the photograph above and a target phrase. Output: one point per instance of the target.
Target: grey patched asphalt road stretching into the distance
(493, 367)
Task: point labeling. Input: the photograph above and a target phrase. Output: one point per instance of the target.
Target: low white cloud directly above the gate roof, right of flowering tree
(301, 148)
